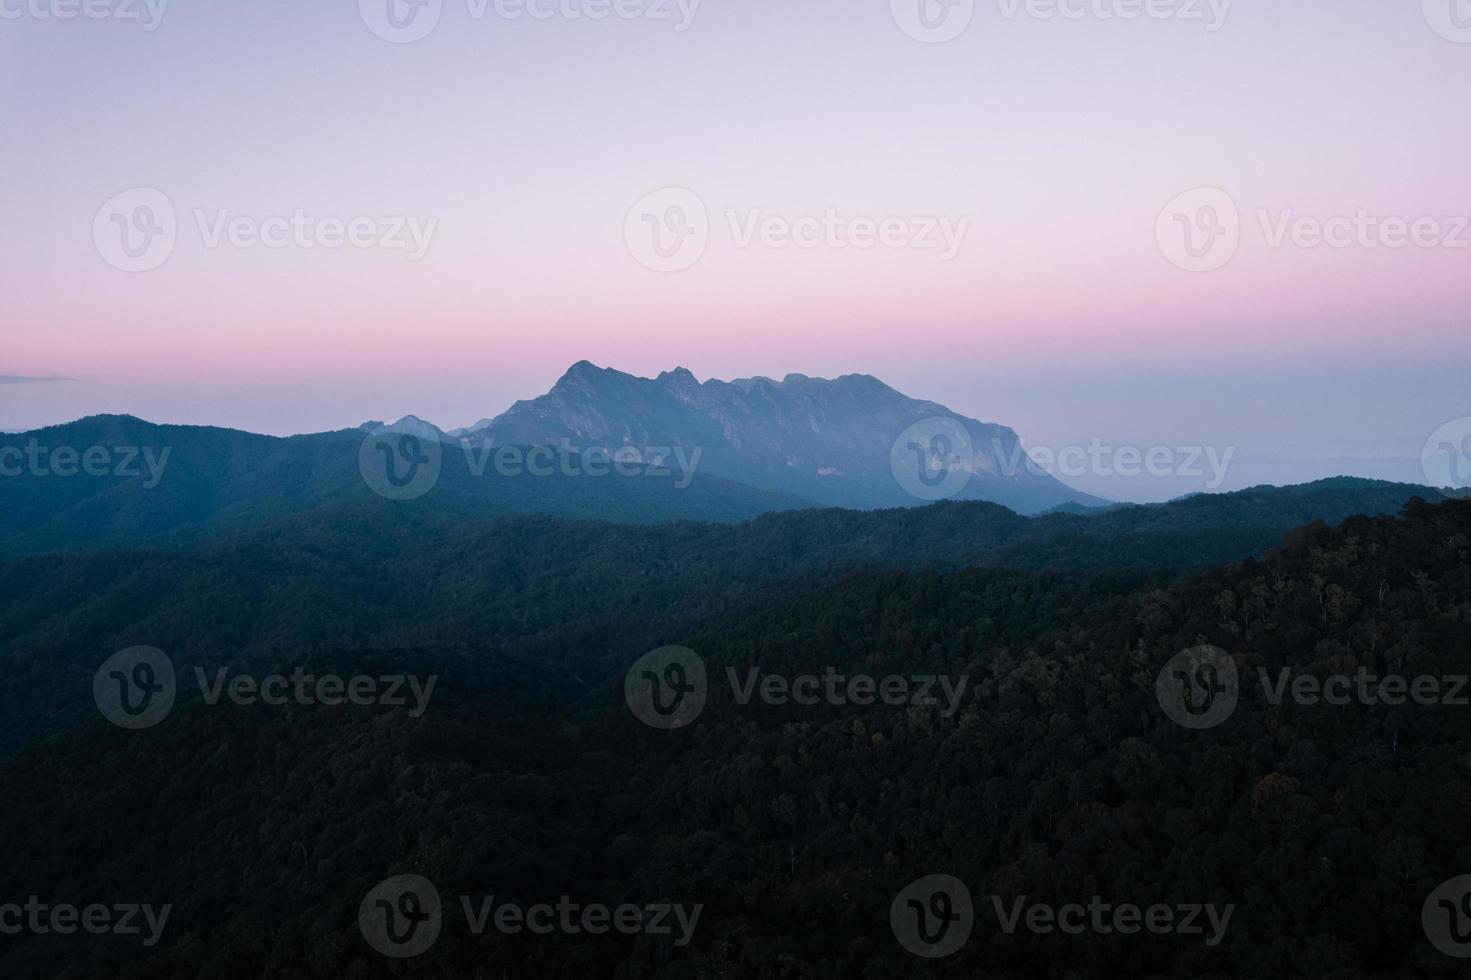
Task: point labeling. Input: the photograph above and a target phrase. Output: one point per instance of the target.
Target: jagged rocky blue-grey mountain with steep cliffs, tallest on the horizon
(833, 442)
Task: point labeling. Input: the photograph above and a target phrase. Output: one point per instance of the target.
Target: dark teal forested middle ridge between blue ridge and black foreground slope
(388, 575)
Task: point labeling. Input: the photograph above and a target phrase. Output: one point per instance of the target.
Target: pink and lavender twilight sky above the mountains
(1173, 227)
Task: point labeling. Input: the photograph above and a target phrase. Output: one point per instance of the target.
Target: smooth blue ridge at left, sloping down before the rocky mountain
(115, 480)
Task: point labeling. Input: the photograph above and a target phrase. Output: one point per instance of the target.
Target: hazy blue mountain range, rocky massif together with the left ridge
(713, 452)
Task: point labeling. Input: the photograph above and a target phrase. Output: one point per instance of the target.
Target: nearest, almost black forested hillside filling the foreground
(1325, 828)
